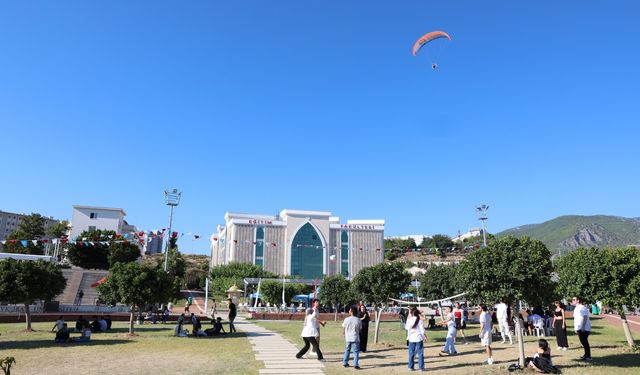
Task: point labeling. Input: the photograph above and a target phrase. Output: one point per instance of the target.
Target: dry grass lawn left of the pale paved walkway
(155, 351)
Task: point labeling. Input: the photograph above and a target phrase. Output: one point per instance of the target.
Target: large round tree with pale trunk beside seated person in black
(510, 268)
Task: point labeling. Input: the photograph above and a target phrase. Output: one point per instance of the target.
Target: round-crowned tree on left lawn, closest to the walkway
(136, 285)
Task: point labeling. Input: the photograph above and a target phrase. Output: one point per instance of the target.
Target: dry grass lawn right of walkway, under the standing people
(390, 355)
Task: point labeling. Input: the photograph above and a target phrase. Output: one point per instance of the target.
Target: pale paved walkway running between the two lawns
(277, 353)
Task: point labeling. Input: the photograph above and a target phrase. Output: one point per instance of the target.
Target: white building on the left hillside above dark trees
(93, 218)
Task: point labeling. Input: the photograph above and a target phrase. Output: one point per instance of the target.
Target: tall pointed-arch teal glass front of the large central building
(307, 253)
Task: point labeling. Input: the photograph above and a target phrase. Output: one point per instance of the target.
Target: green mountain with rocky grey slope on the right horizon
(572, 231)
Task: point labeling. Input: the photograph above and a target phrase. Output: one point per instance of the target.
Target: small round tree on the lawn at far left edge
(28, 281)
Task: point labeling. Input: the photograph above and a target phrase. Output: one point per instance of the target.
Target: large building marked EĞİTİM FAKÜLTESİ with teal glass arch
(307, 244)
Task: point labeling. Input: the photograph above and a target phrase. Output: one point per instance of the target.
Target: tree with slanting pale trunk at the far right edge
(611, 276)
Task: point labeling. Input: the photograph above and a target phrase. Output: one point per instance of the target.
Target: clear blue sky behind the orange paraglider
(257, 106)
